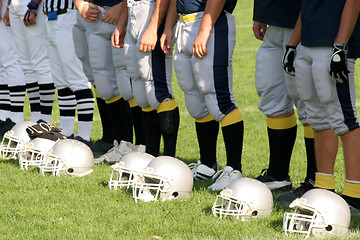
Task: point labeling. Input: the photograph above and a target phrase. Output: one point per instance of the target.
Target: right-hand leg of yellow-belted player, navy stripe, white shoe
(216, 87)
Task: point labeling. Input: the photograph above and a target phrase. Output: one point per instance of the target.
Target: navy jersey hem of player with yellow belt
(193, 6)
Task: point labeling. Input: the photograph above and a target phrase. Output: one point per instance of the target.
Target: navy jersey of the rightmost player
(320, 20)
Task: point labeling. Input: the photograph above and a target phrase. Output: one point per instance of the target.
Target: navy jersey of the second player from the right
(280, 13)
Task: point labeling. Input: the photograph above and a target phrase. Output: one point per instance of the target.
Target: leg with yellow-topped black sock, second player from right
(277, 105)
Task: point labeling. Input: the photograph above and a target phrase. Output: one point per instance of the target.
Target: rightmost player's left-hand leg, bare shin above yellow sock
(312, 72)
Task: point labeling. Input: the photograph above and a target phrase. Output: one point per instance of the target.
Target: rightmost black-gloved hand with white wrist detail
(338, 63)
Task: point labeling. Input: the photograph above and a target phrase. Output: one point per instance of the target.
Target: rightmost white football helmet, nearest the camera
(320, 212)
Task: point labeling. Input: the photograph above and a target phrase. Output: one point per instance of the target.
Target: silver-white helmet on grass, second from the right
(244, 198)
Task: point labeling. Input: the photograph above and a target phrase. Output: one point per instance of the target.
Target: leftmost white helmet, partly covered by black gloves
(14, 140)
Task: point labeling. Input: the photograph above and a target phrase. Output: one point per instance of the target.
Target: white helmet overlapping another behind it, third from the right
(165, 177)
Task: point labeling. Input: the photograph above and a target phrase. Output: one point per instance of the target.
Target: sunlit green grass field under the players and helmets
(33, 206)
